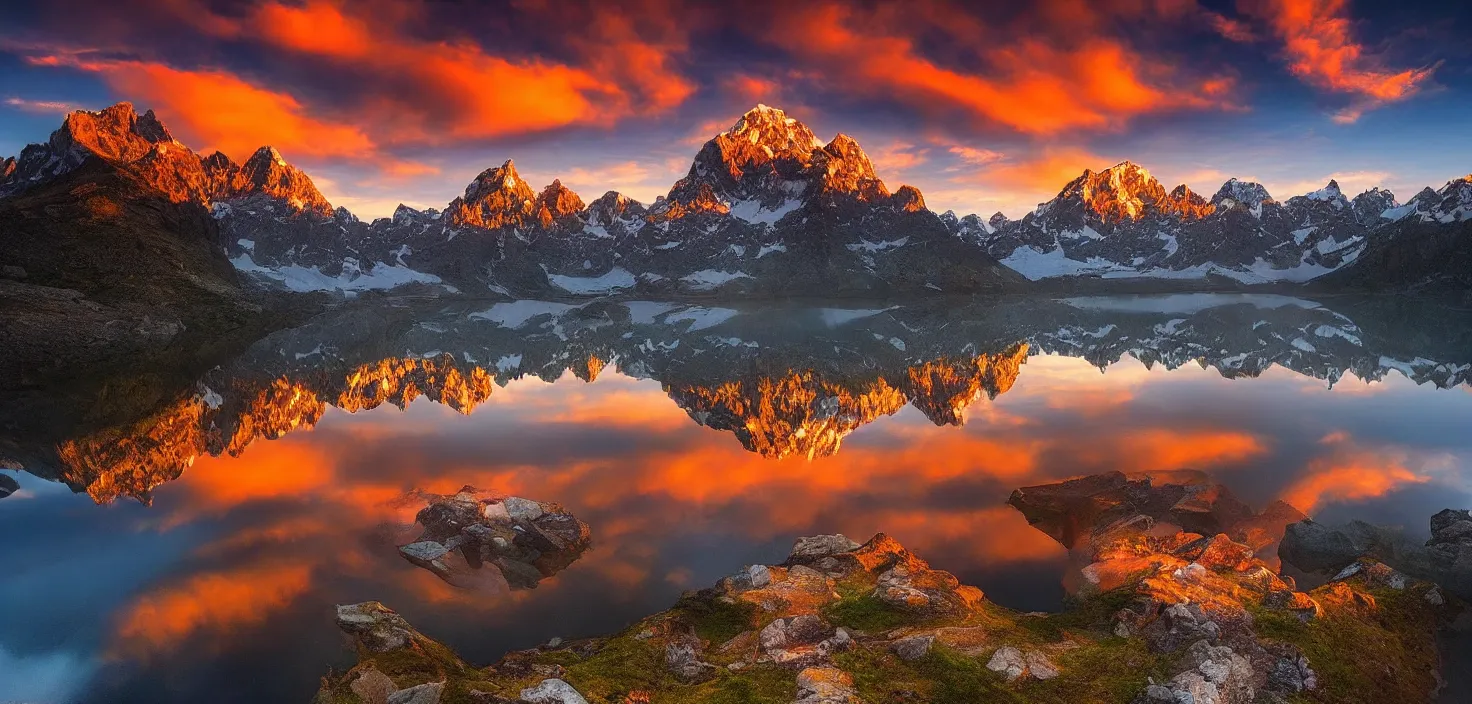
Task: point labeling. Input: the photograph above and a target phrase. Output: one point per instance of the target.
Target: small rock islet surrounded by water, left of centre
(479, 540)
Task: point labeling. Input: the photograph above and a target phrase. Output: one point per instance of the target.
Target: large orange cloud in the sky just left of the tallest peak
(441, 91)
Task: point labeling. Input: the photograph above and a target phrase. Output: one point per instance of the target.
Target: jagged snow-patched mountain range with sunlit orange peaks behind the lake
(768, 208)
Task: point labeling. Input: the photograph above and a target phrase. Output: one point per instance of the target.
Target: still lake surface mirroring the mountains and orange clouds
(693, 440)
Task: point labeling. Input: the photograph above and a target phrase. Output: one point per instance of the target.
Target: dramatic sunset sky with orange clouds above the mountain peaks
(984, 105)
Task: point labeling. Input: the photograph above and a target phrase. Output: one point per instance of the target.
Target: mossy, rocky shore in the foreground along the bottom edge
(1175, 619)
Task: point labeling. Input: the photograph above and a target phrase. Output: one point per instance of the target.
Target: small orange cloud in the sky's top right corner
(1323, 52)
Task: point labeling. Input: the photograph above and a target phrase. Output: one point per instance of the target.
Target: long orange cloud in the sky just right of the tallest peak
(1030, 86)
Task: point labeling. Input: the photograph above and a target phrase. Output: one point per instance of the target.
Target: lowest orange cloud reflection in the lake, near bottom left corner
(216, 603)
